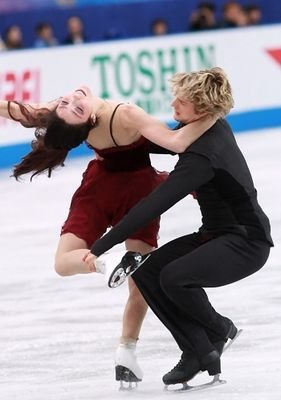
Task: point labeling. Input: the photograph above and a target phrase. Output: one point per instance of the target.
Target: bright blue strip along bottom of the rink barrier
(240, 122)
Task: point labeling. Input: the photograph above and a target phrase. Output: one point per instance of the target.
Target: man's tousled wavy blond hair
(208, 90)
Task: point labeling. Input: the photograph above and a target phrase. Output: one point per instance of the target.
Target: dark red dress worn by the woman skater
(110, 188)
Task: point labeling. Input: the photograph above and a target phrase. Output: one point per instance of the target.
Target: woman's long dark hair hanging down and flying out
(53, 140)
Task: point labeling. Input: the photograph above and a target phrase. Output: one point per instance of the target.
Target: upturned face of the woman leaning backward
(76, 107)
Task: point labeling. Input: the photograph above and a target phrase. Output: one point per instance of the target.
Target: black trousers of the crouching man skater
(173, 277)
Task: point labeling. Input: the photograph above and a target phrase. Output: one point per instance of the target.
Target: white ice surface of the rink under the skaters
(58, 335)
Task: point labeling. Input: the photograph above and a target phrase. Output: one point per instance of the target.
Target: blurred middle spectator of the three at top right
(233, 15)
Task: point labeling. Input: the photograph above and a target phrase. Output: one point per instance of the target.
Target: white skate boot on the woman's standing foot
(126, 366)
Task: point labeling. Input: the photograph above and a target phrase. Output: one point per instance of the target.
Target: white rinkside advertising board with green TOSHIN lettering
(138, 71)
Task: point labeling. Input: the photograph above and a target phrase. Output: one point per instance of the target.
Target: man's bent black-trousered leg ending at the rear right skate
(218, 262)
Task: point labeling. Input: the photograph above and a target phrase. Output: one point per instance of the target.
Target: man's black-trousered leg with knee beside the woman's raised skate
(192, 338)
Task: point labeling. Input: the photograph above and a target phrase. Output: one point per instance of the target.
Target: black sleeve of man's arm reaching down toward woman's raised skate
(191, 171)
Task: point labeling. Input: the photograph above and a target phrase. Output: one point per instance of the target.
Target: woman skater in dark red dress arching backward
(119, 176)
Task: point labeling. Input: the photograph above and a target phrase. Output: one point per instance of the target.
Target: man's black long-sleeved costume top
(213, 167)
